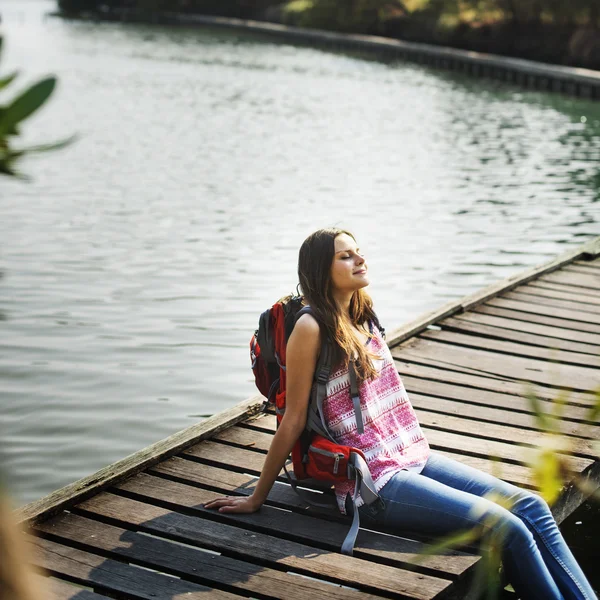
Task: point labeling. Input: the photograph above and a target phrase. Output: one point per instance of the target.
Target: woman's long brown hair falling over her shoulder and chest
(314, 272)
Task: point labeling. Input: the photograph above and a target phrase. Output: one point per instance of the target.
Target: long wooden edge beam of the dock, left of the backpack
(92, 484)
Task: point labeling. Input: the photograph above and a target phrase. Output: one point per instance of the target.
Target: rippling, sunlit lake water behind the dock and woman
(138, 260)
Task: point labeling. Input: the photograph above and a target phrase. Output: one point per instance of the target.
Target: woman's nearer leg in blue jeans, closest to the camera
(416, 502)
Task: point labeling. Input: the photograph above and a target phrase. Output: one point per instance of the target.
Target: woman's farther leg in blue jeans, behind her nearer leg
(530, 508)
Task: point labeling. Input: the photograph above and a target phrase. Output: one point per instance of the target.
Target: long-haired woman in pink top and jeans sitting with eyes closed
(420, 490)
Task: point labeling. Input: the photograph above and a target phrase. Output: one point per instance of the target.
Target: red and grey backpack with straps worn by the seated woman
(316, 454)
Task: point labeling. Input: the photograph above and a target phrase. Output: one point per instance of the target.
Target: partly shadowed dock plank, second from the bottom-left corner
(113, 577)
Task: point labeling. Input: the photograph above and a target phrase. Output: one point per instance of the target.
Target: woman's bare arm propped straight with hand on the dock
(301, 358)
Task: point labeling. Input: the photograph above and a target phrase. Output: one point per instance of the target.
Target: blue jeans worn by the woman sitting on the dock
(447, 497)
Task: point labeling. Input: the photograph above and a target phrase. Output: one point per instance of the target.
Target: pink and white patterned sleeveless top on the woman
(392, 438)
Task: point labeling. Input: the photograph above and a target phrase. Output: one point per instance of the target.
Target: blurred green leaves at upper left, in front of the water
(14, 113)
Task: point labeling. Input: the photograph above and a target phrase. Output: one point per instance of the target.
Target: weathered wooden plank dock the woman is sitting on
(138, 529)
